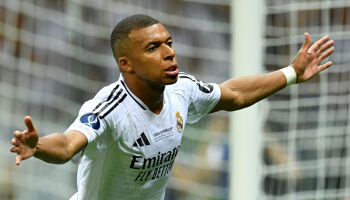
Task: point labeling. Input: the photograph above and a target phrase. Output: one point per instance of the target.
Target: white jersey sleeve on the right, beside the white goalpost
(203, 97)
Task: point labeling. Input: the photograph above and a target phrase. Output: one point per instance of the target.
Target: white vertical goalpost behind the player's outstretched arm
(247, 20)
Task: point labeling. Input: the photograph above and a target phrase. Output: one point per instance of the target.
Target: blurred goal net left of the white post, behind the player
(55, 55)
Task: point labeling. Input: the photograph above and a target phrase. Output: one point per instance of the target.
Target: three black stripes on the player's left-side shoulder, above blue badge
(106, 106)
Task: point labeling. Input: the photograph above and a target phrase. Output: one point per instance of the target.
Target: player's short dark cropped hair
(124, 27)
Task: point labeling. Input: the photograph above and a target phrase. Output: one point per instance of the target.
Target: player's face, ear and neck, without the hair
(150, 66)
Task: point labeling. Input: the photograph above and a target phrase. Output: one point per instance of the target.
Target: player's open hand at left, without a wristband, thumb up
(25, 142)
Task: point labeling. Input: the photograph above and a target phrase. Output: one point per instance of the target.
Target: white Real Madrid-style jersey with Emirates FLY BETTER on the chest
(131, 150)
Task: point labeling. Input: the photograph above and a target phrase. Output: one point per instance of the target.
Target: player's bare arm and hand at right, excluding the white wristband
(242, 92)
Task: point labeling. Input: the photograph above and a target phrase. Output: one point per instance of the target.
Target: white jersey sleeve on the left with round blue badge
(88, 122)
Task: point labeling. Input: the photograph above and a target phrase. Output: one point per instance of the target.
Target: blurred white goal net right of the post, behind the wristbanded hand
(306, 151)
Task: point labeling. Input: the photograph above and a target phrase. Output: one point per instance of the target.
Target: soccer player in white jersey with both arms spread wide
(126, 138)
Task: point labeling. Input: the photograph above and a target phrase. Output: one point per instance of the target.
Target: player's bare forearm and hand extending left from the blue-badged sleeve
(53, 148)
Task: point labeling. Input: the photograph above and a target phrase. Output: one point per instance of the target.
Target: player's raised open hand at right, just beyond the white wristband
(307, 62)
